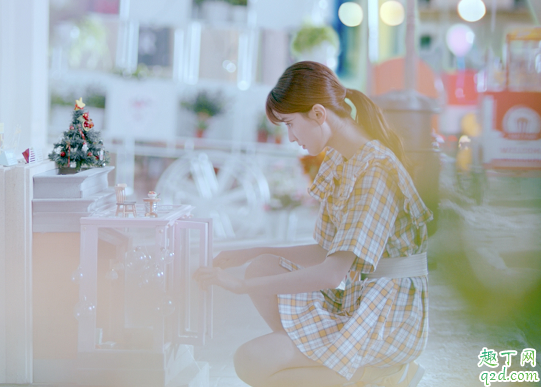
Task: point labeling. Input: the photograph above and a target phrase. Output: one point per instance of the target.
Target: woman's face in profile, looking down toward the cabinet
(306, 131)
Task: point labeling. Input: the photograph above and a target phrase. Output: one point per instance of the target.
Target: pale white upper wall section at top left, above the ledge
(24, 40)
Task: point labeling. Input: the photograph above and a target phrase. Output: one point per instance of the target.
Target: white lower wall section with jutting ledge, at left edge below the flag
(16, 338)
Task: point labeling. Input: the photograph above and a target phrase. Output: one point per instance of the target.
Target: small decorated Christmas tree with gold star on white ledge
(80, 144)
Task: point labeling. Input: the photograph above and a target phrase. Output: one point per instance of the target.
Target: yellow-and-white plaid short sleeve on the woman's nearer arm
(368, 218)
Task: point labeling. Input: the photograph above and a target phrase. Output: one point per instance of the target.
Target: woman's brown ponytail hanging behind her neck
(370, 117)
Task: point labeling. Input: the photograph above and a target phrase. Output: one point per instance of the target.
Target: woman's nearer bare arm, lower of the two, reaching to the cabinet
(325, 275)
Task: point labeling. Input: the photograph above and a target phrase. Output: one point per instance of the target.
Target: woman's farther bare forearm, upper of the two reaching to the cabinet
(305, 255)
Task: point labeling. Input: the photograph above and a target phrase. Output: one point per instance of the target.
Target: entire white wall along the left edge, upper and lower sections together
(24, 30)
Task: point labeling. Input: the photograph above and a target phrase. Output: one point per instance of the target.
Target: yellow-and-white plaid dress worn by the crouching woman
(370, 207)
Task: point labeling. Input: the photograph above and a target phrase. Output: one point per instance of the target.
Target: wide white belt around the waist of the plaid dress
(412, 266)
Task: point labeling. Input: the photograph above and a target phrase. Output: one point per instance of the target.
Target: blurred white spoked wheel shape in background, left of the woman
(229, 188)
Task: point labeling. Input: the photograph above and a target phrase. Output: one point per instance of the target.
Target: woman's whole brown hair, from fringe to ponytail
(305, 84)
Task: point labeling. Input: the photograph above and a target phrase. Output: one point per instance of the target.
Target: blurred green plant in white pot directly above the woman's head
(316, 43)
